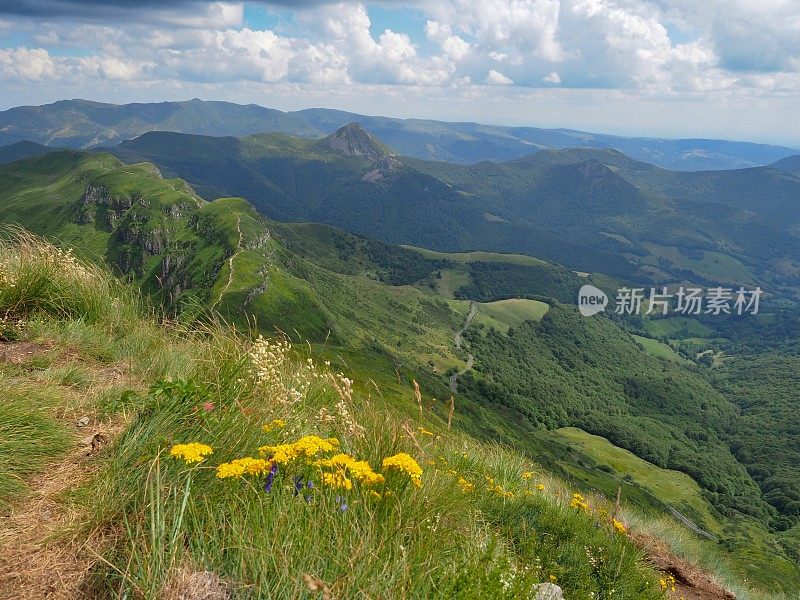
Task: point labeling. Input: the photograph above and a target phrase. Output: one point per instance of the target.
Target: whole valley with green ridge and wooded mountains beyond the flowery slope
(298, 238)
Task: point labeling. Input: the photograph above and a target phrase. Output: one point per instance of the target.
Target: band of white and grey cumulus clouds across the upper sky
(663, 47)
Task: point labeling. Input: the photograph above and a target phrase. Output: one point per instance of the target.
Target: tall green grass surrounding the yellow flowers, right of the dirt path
(433, 541)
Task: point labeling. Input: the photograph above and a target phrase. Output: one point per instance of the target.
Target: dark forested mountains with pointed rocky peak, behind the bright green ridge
(589, 209)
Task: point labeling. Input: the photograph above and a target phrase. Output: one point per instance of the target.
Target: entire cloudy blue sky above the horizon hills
(670, 68)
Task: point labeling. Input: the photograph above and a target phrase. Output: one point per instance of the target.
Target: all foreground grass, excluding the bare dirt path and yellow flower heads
(206, 385)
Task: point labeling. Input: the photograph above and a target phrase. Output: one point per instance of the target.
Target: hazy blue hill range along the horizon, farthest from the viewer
(85, 124)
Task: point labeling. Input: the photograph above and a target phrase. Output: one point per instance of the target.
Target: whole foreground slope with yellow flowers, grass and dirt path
(214, 465)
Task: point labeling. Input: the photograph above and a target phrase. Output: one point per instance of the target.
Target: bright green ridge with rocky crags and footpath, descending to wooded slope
(382, 314)
